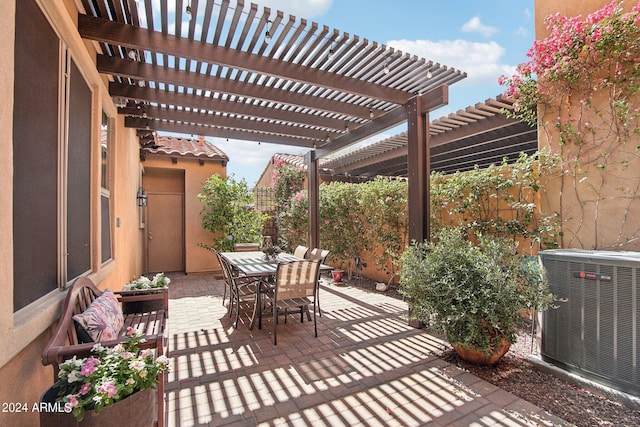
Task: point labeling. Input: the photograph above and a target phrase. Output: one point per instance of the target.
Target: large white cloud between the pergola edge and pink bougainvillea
(481, 61)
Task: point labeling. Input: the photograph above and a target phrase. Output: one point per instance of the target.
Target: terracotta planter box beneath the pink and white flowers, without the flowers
(137, 410)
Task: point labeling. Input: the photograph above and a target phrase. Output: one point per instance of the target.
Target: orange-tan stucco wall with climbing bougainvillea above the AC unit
(599, 207)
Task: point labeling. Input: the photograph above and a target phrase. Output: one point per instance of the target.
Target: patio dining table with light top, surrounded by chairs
(254, 264)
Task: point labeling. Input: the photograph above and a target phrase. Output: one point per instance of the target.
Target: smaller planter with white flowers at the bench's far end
(153, 294)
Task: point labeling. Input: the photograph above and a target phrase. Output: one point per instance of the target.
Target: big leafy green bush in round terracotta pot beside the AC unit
(474, 292)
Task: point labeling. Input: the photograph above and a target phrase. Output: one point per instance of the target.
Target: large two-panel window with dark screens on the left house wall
(52, 125)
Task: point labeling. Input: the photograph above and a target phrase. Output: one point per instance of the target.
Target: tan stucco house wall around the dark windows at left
(25, 333)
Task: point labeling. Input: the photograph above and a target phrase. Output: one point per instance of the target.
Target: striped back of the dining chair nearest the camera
(296, 279)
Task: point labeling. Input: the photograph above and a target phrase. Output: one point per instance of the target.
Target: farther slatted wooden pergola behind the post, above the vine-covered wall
(480, 135)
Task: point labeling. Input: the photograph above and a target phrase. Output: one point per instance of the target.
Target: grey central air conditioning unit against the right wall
(594, 332)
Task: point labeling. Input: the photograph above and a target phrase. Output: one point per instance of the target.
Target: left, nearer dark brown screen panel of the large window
(35, 156)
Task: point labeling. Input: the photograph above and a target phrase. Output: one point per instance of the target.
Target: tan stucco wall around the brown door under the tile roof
(197, 259)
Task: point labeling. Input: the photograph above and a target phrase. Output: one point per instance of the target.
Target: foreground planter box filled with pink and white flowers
(113, 386)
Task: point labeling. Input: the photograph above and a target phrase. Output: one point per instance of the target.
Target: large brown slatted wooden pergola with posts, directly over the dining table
(230, 70)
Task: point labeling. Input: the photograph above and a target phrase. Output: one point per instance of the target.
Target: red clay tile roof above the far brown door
(185, 147)
